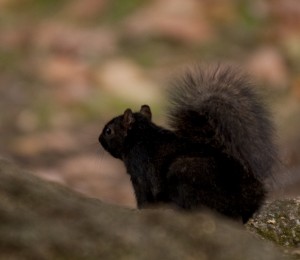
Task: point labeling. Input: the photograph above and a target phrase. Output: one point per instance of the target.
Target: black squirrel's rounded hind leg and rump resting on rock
(198, 182)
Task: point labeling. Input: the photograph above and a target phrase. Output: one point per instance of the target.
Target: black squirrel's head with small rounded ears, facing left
(115, 132)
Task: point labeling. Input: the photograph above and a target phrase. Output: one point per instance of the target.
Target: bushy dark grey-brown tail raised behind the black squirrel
(218, 106)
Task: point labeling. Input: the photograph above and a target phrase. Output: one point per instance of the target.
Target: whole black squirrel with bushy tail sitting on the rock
(218, 154)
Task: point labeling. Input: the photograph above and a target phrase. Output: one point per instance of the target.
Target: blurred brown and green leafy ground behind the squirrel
(68, 66)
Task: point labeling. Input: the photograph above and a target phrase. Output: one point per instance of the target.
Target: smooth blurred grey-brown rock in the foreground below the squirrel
(43, 220)
